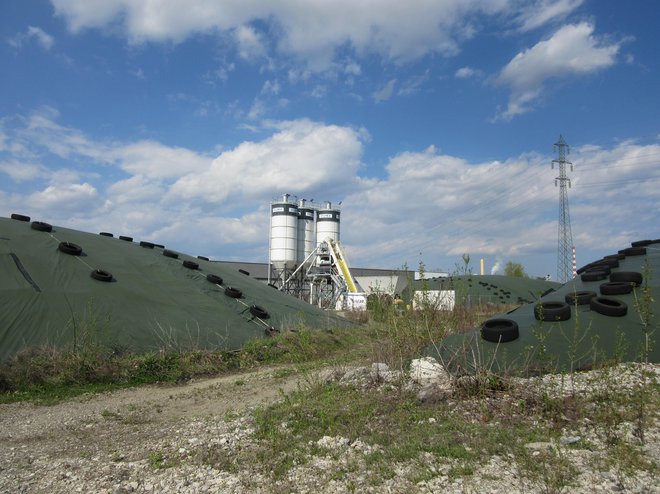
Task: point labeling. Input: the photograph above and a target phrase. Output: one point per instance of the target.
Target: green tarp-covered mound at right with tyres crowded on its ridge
(609, 312)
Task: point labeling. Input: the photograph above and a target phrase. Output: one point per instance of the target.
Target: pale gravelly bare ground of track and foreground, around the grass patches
(159, 440)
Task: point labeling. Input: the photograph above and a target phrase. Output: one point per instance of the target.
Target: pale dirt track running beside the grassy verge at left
(119, 423)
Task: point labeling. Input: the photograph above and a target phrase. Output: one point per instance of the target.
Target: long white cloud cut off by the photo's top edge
(307, 31)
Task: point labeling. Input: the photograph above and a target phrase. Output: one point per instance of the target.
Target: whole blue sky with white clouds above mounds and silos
(179, 121)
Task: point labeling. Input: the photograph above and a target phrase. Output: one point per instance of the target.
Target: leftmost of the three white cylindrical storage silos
(283, 233)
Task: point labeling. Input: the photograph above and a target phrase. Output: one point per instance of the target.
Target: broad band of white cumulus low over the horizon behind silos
(428, 204)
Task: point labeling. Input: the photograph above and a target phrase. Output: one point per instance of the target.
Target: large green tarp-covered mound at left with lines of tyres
(61, 287)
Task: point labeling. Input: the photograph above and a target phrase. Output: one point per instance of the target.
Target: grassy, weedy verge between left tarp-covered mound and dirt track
(48, 375)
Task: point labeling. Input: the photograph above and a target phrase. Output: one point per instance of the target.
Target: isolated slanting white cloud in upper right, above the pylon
(571, 51)
